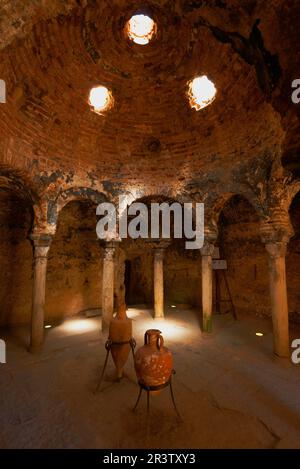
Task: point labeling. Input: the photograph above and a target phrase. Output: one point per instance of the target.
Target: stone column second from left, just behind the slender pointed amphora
(108, 285)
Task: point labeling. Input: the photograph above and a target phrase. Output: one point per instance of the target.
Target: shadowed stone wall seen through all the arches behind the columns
(75, 264)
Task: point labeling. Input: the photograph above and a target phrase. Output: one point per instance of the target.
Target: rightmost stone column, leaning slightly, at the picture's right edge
(279, 302)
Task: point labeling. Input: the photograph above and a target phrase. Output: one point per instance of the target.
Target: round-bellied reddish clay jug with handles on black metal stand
(153, 362)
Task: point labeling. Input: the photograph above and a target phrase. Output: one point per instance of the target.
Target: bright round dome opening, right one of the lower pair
(201, 93)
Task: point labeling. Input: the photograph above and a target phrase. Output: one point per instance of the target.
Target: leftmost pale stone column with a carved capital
(41, 244)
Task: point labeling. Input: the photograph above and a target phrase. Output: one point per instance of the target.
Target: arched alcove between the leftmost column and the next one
(74, 269)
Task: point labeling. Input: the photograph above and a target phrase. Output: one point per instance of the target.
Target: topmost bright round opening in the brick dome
(141, 29)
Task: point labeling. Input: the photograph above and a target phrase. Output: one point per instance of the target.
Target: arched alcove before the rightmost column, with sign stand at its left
(247, 260)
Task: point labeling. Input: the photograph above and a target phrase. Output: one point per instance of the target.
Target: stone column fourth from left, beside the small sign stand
(207, 285)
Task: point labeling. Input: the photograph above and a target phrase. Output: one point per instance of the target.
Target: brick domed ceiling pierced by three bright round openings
(53, 53)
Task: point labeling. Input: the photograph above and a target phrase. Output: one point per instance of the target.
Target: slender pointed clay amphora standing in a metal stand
(120, 330)
